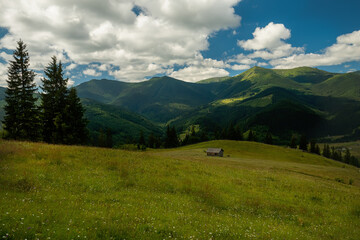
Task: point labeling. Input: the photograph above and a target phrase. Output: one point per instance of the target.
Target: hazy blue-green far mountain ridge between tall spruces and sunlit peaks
(160, 99)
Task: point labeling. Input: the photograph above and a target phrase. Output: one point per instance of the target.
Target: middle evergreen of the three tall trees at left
(54, 102)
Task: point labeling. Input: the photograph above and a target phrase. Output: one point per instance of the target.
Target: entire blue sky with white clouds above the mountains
(191, 40)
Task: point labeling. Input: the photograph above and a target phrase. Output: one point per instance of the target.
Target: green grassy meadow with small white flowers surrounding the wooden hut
(256, 191)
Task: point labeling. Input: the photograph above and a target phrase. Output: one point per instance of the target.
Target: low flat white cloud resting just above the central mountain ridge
(196, 73)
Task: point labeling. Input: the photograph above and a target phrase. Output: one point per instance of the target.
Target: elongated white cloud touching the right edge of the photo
(346, 49)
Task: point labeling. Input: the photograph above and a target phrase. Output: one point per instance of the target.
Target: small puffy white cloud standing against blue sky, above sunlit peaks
(268, 42)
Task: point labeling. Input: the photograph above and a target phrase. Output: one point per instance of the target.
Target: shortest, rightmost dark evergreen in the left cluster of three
(74, 125)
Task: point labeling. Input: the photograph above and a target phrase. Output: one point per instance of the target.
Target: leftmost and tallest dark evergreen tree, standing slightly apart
(21, 119)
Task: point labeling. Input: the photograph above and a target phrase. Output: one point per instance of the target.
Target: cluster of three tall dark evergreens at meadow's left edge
(59, 115)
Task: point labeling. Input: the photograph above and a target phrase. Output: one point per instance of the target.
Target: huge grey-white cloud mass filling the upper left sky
(135, 45)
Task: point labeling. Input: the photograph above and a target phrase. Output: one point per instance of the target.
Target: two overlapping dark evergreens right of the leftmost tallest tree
(62, 112)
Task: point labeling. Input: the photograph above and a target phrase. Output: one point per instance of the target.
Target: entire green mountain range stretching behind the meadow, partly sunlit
(301, 100)
